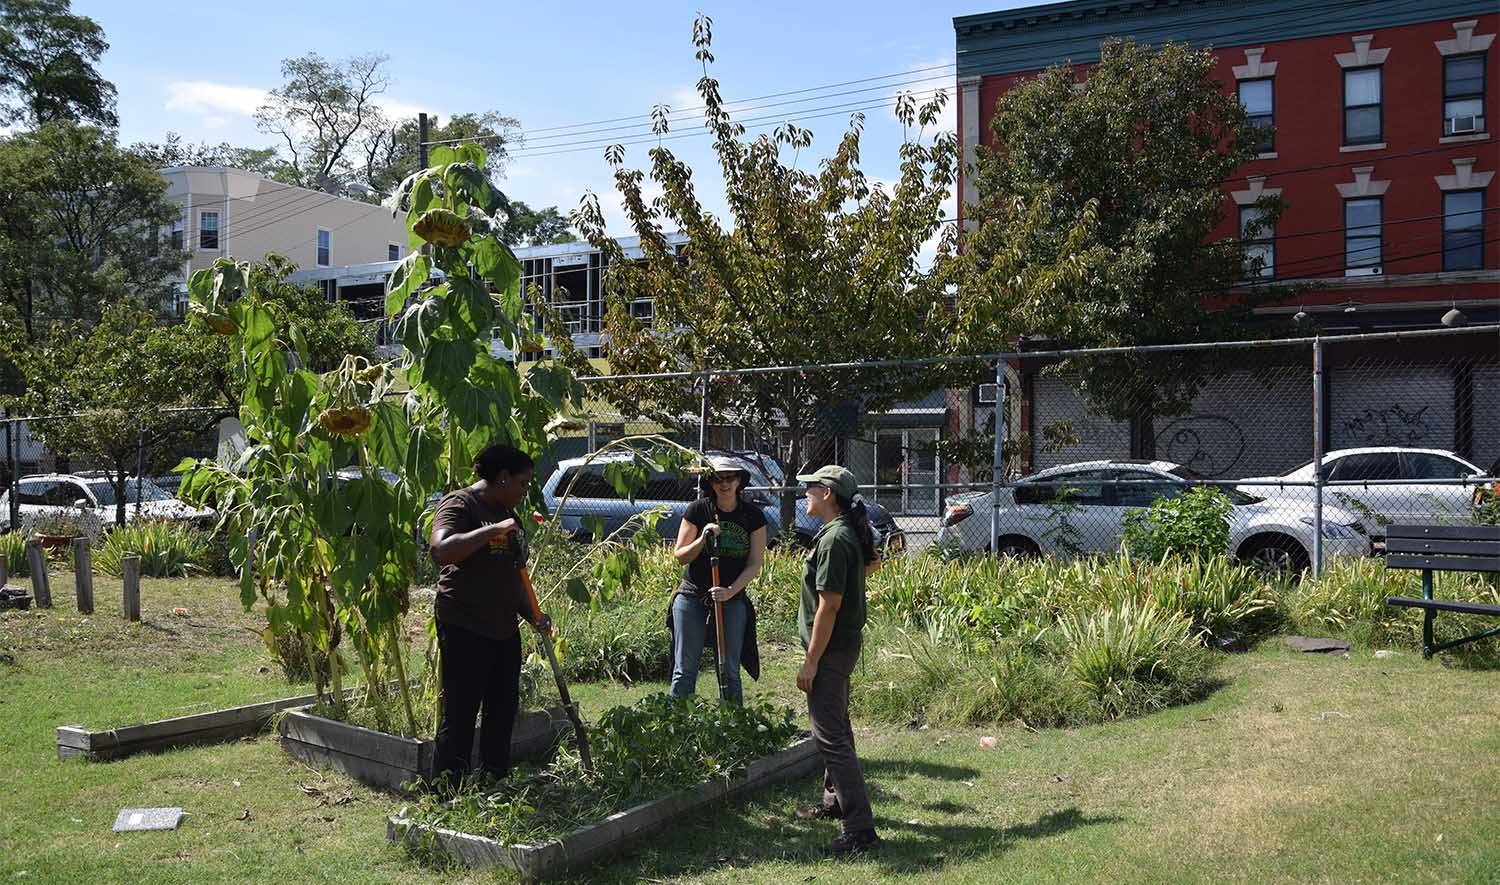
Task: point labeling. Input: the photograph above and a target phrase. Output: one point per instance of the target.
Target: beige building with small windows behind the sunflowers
(242, 215)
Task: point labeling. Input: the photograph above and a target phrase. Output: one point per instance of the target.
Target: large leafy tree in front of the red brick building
(1096, 226)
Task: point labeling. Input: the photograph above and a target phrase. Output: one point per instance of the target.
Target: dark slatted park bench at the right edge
(1444, 548)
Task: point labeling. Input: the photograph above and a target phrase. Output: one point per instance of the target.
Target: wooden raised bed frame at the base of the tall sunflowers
(391, 761)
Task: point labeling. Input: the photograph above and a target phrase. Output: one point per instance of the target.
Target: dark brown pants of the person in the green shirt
(829, 712)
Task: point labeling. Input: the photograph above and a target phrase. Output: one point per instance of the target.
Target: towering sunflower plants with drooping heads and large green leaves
(326, 509)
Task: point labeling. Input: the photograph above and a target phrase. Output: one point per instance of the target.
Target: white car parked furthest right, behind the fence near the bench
(1396, 485)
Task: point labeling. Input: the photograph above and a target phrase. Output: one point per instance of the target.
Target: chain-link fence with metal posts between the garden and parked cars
(1024, 454)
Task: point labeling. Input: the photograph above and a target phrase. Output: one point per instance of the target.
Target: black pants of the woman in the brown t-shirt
(478, 671)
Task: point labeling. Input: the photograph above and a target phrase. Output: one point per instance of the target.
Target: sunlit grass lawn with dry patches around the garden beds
(1303, 769)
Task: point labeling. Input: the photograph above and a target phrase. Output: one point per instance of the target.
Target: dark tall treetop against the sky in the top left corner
(47, 65)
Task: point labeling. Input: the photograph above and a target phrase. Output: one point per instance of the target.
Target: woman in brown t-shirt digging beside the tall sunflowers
(479, 601)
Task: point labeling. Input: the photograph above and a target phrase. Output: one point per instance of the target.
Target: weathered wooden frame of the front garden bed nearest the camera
(608, 836)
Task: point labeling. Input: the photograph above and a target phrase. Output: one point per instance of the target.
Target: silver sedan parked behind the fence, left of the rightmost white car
(1081, 509)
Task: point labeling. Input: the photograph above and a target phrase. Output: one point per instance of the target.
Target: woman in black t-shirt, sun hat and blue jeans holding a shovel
(739, 529)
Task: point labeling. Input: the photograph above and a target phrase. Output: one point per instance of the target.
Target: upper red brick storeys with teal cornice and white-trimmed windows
(1385, 118)
